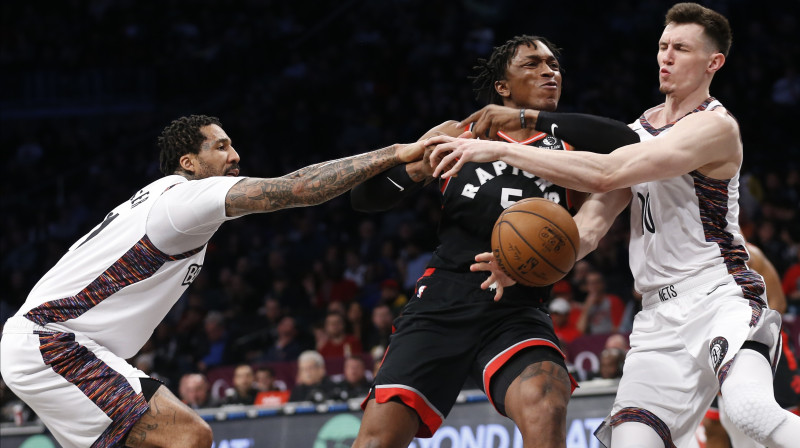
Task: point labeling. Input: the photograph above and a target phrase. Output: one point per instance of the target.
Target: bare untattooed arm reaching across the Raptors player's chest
(705, 141)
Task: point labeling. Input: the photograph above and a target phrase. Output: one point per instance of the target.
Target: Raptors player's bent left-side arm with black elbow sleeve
(385, 190)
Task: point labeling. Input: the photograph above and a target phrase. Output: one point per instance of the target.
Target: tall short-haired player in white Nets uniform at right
(704, 323)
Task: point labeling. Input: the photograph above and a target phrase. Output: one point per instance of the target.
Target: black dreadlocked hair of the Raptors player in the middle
(488, 72)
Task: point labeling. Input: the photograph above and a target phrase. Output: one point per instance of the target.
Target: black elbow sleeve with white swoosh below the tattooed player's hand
(384, 190)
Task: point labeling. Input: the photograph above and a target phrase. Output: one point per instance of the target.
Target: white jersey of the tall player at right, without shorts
(684, 225)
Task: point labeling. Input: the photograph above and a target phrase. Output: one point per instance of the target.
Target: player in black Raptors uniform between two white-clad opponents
(451, 329)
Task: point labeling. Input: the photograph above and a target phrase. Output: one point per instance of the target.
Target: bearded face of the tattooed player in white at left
(216, 157)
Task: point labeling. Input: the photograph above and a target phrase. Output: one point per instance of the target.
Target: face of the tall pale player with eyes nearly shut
(685, 58)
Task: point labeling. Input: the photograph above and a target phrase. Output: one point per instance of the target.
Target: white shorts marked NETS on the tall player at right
(682, 345)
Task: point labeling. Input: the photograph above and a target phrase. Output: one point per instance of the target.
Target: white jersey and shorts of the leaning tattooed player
(64, 351)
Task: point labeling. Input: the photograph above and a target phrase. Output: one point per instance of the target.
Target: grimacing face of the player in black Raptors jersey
(533, 79)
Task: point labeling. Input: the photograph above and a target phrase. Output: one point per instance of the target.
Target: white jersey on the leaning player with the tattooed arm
(116, 283)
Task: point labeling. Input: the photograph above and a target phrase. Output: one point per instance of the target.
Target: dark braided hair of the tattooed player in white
(181, 137)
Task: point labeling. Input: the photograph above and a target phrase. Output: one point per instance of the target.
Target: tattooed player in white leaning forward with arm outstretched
(64, 351)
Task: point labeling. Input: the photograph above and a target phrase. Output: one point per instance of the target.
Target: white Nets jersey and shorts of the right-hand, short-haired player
(700, 301)
